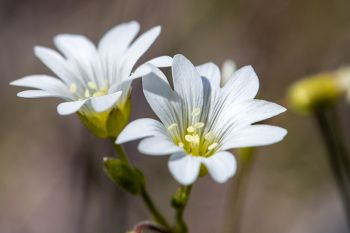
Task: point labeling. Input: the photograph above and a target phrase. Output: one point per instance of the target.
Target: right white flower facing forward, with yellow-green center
(200, 120)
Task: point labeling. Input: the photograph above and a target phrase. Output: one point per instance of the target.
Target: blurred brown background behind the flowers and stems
(51, 177)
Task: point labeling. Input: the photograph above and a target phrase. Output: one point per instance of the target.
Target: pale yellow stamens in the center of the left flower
(89, 90)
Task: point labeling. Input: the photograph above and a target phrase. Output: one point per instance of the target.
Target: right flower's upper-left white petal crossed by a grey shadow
(162, 99)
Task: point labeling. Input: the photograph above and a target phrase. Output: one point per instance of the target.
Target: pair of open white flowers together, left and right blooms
(203, 116)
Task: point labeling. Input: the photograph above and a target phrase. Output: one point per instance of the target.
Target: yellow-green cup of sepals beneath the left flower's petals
(107, 124)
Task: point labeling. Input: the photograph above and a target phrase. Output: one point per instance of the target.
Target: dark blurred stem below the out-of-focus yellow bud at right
(335, 158)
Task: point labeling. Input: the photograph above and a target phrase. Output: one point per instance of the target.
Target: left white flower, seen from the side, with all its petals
(90, 78)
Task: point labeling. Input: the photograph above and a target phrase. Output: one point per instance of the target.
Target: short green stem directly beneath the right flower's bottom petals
(180, 201)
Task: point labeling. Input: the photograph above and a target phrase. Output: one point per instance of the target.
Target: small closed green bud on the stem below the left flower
(124, 175)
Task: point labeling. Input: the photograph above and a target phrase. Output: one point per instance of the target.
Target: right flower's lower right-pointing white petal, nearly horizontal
(254, 135)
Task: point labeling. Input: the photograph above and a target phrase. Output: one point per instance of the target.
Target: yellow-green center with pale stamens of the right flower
(195, 140)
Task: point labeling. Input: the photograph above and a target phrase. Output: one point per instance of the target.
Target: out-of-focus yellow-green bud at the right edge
(314, 92)
